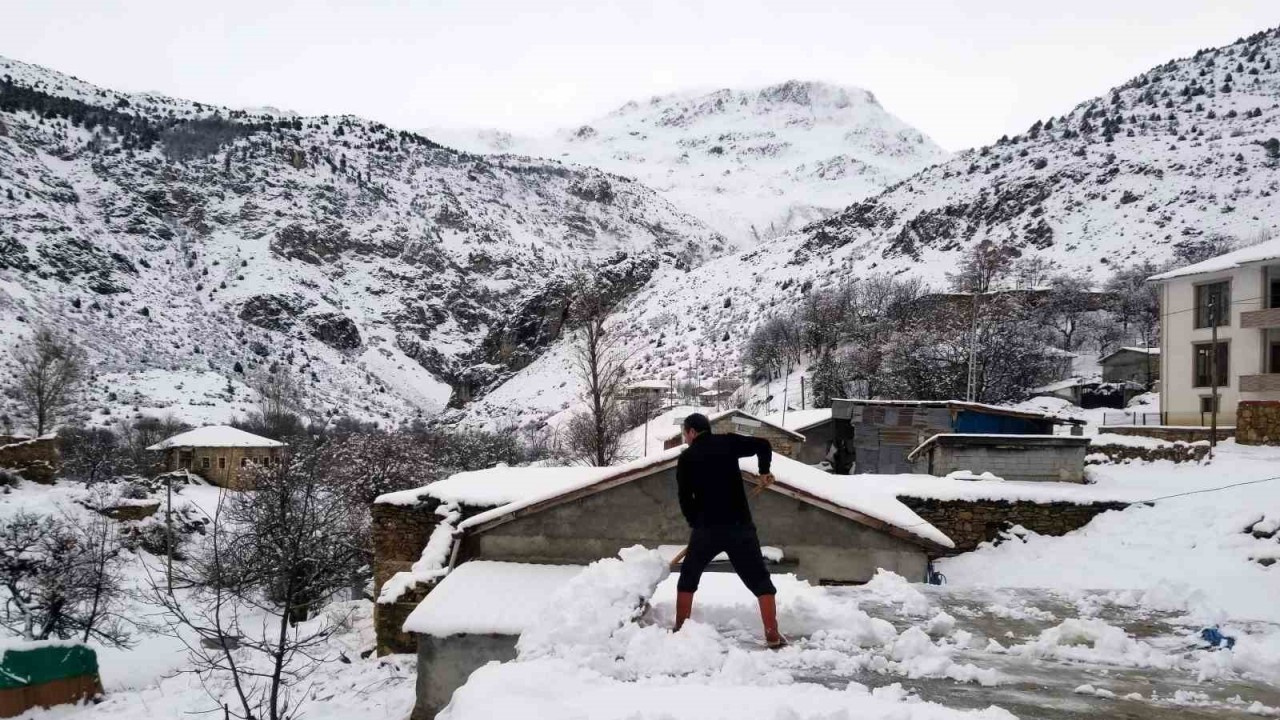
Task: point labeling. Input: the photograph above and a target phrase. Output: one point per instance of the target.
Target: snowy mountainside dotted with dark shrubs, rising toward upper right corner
(1187, 153)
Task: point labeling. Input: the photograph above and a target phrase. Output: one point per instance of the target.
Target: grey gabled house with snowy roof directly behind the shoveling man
(468, 596)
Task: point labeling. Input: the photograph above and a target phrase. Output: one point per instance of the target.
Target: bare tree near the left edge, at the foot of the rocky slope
(51, 368)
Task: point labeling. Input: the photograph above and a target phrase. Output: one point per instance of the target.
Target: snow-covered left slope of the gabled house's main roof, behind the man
(497, 486)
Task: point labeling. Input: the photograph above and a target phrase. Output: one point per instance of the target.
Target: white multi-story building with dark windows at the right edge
(1240, 293)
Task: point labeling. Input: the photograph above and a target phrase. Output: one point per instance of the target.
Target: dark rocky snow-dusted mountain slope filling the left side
(193, 249)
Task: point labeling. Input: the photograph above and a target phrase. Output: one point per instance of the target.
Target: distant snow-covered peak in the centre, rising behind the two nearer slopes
(753, 165)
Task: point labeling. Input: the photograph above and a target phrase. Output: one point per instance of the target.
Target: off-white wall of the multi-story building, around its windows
(1178, 399)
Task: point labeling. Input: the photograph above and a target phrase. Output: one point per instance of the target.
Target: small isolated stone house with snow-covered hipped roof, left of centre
(220, 454)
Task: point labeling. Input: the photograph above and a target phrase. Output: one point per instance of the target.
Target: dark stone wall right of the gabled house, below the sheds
(973, 522)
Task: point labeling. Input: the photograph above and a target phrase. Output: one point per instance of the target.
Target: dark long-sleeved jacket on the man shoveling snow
(711, 480)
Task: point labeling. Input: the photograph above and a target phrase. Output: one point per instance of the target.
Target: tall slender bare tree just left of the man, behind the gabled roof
(601, 368)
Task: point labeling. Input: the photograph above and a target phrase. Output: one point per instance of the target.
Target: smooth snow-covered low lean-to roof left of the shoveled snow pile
(488, 598)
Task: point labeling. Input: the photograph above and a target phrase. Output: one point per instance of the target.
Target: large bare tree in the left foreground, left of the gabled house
(277, 553)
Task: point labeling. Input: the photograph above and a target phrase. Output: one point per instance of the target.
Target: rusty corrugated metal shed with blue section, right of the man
(886, 432)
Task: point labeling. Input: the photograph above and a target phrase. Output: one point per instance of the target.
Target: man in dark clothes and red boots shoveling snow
(715, 505)
